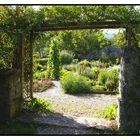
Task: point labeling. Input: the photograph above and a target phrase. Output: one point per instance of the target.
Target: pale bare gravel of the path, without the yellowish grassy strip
(55, 94)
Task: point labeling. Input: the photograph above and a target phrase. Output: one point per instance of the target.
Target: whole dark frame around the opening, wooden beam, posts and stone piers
(23, 75)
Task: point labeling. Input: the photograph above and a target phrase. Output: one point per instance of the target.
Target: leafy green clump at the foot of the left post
(39, 104)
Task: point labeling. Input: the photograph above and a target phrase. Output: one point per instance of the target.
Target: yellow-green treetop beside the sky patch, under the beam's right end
(119, 40)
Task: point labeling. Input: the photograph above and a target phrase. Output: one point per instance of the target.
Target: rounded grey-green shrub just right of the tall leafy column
(66, 57)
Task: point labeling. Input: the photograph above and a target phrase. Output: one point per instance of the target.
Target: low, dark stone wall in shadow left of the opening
(10, 94)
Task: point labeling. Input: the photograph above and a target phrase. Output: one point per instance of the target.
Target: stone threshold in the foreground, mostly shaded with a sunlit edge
(58, 124)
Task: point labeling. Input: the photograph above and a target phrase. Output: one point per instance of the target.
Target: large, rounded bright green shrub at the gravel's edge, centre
(74, 83)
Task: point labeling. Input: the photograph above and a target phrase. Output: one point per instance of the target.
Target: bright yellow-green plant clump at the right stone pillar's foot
(109, 112)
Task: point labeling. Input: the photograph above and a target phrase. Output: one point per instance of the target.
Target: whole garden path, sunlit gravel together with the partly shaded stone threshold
(72, 115)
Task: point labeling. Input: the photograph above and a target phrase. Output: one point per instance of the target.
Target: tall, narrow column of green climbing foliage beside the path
(53, 65)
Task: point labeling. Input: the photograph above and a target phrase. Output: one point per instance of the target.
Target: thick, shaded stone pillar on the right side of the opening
(129, 102)
